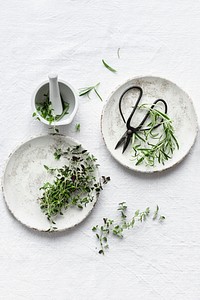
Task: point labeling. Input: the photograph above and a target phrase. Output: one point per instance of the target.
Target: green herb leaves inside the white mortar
(46, 111)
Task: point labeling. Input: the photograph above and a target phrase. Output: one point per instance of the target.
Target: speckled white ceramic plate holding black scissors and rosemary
(180, 110)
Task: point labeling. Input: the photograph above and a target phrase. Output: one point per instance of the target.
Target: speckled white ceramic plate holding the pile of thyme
(25, 174)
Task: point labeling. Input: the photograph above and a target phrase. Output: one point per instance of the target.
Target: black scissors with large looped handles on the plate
(125, 139)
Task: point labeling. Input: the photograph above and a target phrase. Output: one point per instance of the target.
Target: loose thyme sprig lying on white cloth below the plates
(117, 228)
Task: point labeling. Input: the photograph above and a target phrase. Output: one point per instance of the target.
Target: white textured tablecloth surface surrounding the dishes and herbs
(71, 37)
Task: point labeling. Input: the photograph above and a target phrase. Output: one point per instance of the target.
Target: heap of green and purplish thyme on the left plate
(74, 184)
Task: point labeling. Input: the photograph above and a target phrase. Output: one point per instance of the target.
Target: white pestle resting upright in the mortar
(54, 94)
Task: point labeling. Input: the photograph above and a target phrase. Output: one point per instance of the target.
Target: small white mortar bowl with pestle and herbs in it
(68, 95)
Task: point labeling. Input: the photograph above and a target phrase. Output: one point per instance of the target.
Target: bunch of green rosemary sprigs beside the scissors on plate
(154, 145)
